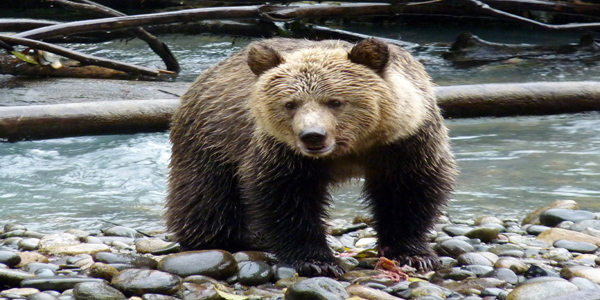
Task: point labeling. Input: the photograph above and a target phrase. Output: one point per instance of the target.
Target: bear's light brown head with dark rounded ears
(331, 100)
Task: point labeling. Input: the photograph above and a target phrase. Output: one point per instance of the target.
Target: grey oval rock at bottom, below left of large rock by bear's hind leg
(142, 281)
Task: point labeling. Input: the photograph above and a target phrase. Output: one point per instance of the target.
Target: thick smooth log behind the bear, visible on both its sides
(130, 116)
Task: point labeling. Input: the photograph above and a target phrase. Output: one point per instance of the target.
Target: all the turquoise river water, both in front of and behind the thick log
(509, 166)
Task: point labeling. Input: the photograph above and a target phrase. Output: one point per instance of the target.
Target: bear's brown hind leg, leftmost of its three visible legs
(204, 209)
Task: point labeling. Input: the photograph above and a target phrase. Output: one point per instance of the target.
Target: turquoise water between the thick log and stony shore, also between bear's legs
(509, 166)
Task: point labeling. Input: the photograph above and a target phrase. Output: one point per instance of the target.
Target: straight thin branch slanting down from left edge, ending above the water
(84, 58)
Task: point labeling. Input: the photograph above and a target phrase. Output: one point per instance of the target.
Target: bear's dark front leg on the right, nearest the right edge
(406, 184)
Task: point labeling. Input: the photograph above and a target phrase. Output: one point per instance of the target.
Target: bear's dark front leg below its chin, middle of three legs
(287, 196)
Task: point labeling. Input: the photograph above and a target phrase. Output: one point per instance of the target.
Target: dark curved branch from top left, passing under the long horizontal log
(160, 48)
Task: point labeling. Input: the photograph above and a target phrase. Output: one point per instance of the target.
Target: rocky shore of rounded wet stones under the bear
(551, 254)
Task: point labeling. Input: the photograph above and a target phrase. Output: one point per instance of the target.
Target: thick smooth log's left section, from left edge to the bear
(76, 119)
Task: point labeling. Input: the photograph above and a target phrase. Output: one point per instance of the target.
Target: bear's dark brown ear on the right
(372, 53)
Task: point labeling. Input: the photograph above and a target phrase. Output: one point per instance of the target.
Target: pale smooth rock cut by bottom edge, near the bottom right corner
(541, 288)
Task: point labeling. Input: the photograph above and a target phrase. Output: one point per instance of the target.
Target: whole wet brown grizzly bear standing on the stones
(261, 138)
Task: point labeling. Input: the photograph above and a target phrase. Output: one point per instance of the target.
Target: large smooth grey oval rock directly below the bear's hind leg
(217, 264)
